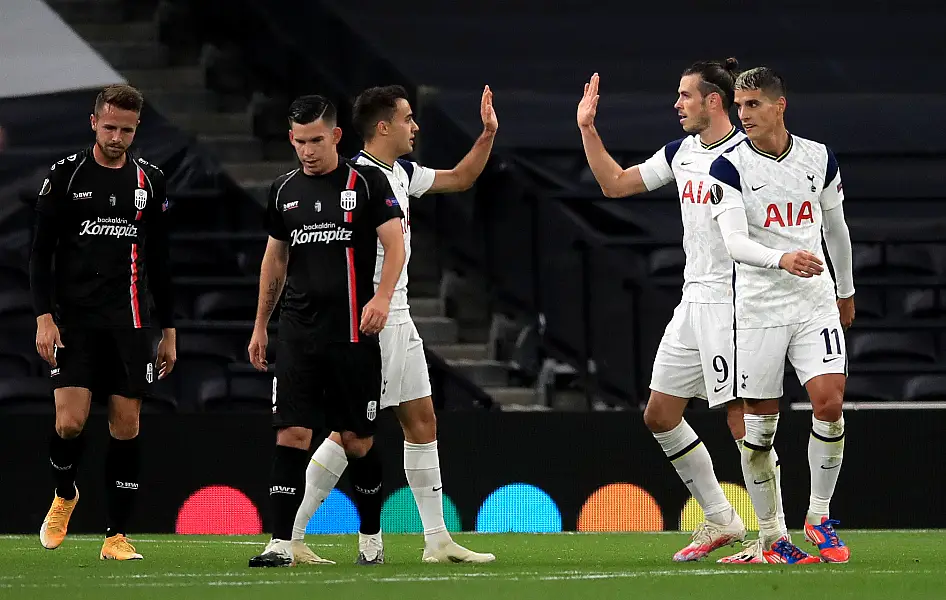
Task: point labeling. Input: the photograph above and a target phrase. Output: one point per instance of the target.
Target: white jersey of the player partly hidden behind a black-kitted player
(407, 179)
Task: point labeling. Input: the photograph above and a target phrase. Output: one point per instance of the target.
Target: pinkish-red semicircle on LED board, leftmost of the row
(218, 510)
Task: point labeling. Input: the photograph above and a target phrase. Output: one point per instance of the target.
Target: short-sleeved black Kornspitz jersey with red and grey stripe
(330, 222)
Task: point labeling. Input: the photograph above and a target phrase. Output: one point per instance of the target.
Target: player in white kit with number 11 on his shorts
(773, 197)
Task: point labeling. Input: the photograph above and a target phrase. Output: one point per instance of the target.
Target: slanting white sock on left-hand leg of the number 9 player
(691, 459)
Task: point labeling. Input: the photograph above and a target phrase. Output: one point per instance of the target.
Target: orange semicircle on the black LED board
(620, 507)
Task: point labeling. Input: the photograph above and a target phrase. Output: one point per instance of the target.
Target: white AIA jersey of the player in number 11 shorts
(783, 197)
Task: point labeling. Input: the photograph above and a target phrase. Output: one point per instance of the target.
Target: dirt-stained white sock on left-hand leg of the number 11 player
(761, 475)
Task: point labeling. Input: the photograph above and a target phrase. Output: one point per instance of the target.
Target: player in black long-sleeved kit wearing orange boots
(100, 216)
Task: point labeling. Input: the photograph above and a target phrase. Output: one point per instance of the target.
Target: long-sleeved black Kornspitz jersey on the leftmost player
(105, 231)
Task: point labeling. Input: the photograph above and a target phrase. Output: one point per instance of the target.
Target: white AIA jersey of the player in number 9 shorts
(707, 275)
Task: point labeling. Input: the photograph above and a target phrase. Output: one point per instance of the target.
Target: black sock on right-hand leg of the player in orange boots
(121, 483)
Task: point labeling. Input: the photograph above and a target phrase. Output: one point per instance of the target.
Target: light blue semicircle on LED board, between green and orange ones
(519, 508)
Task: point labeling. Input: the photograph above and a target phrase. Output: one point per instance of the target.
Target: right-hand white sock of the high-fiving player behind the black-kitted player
(422, 468)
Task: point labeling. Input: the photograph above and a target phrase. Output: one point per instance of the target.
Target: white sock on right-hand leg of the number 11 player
(825, 453)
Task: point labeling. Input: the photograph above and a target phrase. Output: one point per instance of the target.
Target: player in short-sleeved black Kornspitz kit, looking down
(324, 221)
